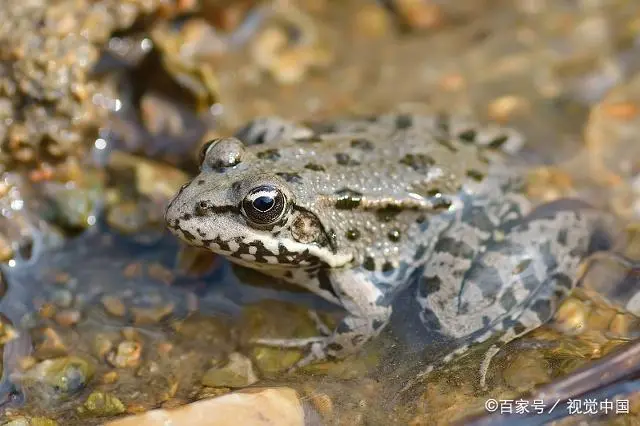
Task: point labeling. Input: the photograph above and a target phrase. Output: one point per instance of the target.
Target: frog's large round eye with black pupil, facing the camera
(264, 205)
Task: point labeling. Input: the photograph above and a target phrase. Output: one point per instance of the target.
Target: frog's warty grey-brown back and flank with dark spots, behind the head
(380, 184)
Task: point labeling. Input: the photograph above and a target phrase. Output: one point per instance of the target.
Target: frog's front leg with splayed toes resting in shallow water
(367, 314)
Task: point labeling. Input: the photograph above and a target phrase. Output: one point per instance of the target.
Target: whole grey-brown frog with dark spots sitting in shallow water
(359, 209)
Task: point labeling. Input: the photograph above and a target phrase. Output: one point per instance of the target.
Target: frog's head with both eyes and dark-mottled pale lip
(238, 209)
